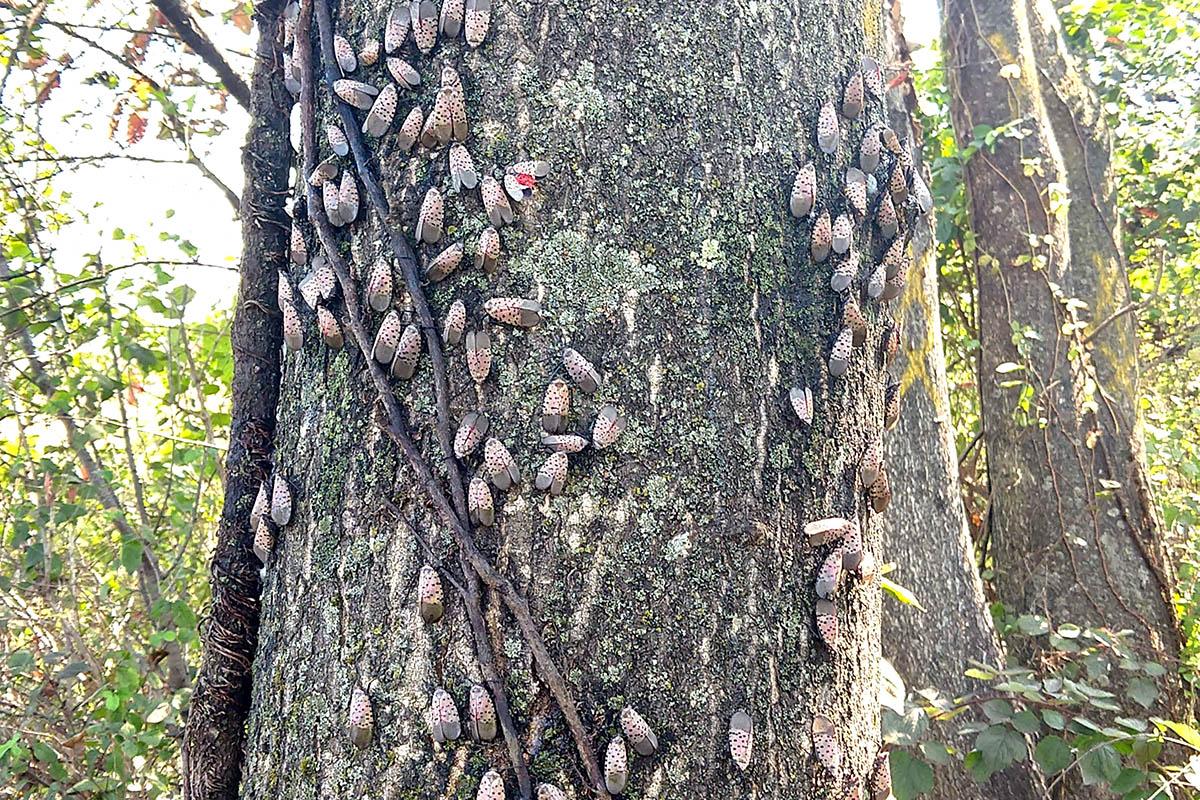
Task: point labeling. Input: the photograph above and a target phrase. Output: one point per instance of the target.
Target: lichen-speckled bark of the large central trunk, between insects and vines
(673, 574)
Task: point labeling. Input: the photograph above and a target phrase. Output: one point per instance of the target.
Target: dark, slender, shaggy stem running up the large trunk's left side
(215, 739)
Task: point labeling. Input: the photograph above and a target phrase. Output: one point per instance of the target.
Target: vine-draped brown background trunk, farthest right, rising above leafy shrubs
(1075, 531)
